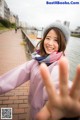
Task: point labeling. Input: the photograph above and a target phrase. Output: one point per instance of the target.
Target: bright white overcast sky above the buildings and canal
(39, 14)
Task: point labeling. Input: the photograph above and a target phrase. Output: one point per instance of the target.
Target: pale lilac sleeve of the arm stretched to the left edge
(15, 77)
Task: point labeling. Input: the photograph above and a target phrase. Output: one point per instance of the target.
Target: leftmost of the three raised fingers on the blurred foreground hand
(47, 81)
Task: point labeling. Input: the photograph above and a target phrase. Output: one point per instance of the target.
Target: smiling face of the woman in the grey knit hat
(51, 42)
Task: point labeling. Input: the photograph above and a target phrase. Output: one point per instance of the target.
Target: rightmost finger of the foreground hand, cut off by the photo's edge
(75, 90)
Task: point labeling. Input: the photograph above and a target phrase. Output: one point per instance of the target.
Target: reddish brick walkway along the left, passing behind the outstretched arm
(12, 54)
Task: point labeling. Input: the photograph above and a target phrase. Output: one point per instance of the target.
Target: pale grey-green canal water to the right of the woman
(73, 54)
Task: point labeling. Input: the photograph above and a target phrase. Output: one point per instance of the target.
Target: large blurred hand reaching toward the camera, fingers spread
(66, 103)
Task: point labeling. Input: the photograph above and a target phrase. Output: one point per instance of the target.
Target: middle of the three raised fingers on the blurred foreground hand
(63, 76)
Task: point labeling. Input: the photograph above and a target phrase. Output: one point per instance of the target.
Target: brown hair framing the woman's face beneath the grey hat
(61, 41)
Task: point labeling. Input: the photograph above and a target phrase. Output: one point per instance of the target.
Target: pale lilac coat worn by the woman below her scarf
(29, 71)
